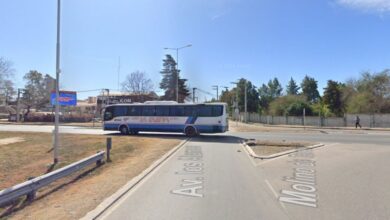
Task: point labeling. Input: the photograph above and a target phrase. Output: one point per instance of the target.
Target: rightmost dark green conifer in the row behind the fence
(333, 97)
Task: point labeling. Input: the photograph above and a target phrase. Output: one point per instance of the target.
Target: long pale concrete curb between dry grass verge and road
(109, 201)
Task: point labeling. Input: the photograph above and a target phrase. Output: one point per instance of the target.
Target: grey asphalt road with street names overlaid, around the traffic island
(212, 177)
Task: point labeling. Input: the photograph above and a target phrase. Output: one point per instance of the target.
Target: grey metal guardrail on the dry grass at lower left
(31, 186)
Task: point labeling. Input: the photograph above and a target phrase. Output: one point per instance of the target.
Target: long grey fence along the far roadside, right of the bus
(366, 120)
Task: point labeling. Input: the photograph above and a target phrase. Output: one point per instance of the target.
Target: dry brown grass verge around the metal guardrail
(72, 197)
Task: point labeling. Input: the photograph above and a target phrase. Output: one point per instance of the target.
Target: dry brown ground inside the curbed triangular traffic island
(266, 148)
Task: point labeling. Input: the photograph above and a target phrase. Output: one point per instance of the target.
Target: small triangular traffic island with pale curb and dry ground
(272, 149)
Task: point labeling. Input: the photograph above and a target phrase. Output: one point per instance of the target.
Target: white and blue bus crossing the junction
(166, 116)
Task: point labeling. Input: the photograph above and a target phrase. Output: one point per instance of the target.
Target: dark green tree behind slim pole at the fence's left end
(252, 96)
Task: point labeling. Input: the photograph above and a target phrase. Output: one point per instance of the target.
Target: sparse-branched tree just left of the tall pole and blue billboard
(36, 93)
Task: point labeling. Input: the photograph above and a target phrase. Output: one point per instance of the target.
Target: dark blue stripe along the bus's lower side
(168, 128)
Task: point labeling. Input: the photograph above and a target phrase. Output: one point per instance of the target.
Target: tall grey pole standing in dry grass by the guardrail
(57, 118)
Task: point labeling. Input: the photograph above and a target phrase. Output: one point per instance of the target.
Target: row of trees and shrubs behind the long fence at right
(370, 93)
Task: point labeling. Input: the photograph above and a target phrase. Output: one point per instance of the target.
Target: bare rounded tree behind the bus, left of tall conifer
(137, 83)
